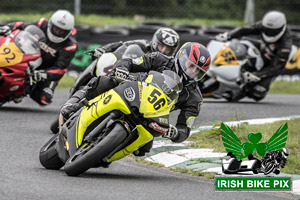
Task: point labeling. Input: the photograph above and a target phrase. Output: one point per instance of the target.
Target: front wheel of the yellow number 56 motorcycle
(88, 156)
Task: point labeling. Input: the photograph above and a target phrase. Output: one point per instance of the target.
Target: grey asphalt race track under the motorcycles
(25, 128)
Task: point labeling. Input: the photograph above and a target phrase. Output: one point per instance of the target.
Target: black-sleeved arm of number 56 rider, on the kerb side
(189, 110)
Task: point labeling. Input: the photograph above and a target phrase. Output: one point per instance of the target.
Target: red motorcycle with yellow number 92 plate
(20, 54)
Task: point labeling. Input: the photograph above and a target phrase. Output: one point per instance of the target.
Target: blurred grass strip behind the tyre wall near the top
(100, 20)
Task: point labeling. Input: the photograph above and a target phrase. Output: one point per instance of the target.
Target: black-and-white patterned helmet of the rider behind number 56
(166, 41)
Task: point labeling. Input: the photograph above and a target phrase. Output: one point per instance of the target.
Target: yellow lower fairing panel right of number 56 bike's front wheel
(144, 137)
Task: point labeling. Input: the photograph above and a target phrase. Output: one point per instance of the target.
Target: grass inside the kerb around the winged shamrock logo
(205, 139)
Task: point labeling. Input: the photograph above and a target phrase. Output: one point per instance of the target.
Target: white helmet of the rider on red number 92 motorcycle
(60, 26)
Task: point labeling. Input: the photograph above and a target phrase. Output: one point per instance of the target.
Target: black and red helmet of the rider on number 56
(194, 60)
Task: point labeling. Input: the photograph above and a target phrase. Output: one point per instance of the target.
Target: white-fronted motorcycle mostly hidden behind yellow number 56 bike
(101, 67)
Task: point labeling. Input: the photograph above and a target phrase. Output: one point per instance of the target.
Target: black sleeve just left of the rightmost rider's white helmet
(245, 30)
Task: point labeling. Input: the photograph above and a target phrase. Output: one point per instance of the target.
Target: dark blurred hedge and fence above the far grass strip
(208, 9)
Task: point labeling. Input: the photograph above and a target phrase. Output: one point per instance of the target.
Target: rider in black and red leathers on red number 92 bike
(57, 52)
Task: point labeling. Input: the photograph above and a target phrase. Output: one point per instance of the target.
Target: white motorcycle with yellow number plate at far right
(224, 79)
